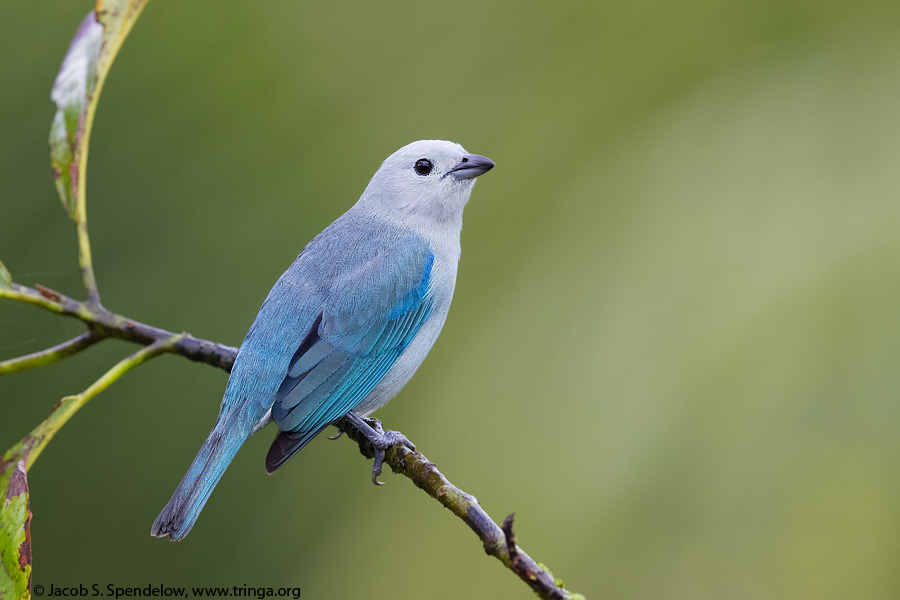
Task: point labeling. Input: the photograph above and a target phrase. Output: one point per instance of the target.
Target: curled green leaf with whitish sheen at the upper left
(77, 90)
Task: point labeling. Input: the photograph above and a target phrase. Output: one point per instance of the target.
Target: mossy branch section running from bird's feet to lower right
(425, 475)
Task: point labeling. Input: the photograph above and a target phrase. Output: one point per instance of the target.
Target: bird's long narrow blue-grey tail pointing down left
(179, 515)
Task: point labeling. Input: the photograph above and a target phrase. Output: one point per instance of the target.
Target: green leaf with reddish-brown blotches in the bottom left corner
(15, 527)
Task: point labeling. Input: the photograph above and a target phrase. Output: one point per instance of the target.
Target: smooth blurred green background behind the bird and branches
(674, 348)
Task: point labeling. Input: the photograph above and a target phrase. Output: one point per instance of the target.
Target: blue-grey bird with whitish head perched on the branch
(347, 324)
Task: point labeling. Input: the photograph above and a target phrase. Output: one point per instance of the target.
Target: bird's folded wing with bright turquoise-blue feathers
(370, 317)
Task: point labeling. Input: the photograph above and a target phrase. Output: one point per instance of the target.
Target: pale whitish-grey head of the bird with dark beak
(425, 183)
